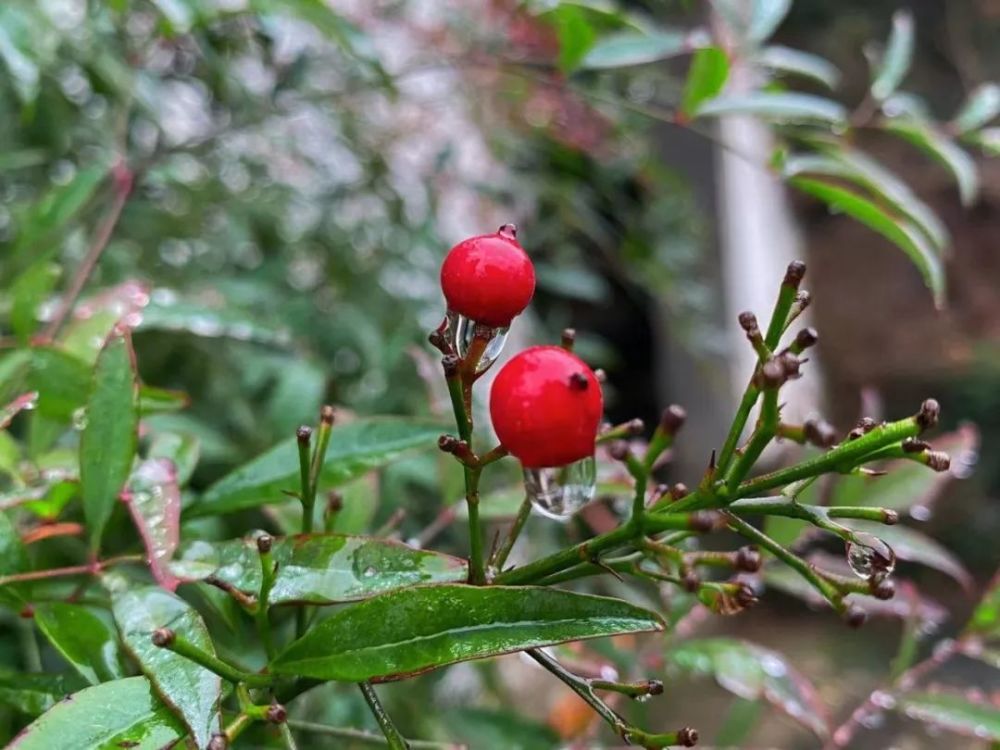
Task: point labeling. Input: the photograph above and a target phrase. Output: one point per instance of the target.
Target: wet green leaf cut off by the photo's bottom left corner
(120, 714)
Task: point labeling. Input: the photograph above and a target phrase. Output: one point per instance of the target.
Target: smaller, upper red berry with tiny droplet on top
(488, 279)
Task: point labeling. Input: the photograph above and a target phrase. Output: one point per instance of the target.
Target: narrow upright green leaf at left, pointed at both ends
(108, 442)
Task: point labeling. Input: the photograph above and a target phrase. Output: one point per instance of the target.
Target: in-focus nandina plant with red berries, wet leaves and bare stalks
(144, 635)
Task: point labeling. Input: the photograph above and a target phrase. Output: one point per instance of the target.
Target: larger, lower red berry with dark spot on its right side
(546, 406)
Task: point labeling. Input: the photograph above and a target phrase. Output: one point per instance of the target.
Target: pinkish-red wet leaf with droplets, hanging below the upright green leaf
(154, 500)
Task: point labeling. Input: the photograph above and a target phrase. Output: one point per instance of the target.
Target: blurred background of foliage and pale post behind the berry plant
(301, 169)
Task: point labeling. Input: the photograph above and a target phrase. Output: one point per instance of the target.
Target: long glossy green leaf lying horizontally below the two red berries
(413, 630)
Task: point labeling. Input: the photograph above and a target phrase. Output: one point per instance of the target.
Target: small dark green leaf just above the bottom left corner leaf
(88, 643)
